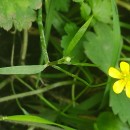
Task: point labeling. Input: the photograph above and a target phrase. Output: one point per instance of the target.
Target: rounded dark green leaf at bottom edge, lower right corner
(108, 121)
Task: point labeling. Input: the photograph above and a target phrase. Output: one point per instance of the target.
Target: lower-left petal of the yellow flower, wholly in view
(119, 86)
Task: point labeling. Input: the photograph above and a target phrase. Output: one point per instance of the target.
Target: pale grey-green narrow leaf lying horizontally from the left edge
(28, 69)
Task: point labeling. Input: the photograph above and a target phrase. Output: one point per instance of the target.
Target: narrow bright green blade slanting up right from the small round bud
(77, 36)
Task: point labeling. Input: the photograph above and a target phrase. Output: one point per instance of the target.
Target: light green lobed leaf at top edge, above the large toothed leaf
(101, 10)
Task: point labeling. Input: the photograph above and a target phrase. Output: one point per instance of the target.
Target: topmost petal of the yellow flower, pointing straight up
(125, 67)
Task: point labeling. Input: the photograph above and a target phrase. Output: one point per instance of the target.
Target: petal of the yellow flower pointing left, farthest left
(114, 73)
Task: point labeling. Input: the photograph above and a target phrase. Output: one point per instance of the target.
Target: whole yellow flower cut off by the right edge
(123, 76)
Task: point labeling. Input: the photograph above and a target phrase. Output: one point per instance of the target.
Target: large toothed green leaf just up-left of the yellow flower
(98, 46)
